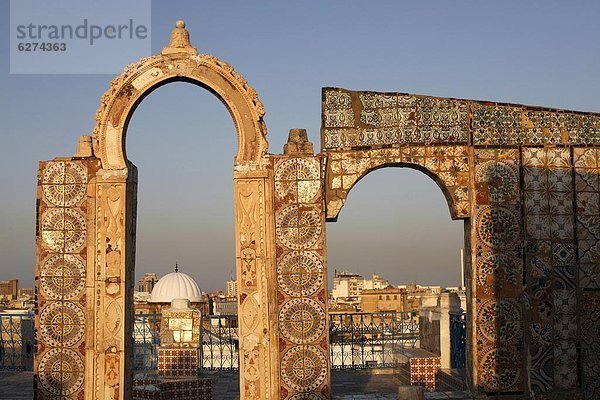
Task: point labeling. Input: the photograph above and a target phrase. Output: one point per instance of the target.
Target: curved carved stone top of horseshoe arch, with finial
(178, 62)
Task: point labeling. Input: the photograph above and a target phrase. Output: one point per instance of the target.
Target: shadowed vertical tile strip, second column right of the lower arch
(551, 287)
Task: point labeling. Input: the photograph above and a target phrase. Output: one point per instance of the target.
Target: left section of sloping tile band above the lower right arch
(354, 119)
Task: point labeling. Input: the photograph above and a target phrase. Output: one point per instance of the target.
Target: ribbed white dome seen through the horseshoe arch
(175, 285)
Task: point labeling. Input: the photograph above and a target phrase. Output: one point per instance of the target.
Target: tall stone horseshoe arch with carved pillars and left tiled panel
(100, 241)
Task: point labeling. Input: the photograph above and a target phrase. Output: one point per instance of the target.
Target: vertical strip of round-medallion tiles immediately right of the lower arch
(499, 270)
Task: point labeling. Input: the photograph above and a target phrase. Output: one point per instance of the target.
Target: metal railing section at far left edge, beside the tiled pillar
(16, 341)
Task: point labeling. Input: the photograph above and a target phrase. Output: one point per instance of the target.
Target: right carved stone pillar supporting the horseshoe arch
(255, 253)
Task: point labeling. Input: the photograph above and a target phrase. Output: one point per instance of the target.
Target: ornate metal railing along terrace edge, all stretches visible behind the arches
(357, 340)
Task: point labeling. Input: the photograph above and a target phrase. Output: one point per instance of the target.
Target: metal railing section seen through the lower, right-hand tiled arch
(369, 340)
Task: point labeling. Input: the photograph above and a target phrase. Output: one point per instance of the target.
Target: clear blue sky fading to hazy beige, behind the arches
(396, 222)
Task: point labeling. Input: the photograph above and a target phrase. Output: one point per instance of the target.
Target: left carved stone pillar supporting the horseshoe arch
(113, 270)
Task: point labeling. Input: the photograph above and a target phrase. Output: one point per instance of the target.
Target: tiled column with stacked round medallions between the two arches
(301, 275)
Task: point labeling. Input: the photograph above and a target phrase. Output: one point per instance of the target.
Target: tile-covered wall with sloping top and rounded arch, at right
(528, 189)
